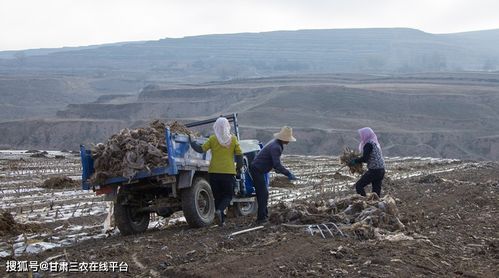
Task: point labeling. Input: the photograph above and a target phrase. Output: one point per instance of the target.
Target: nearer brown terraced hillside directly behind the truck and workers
(437, 115)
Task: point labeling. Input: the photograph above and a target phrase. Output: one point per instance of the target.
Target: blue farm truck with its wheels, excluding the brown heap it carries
(180, 185)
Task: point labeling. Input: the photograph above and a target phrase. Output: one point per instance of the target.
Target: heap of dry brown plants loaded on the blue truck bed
(133, 150)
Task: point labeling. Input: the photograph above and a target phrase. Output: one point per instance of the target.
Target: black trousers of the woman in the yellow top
(222, 188)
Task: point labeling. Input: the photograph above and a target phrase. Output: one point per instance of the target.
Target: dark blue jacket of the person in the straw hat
(270, 157)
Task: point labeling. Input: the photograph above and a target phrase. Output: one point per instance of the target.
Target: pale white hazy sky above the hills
(55, 23)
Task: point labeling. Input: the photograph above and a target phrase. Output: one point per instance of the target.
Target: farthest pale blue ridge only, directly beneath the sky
(222, 57)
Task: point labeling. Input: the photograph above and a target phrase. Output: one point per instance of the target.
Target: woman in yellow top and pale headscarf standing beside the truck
(224, 148)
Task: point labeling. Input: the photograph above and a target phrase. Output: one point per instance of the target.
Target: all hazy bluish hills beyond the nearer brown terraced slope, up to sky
(38, 82)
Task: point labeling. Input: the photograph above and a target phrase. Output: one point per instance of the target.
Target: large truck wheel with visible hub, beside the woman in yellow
(198, 204)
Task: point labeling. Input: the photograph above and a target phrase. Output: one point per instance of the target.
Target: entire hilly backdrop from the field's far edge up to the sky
(425, 94)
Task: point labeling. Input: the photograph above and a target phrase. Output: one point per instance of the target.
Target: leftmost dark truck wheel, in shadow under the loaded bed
(129, 220)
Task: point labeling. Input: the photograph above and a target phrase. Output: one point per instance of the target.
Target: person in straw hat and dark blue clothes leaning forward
(267, 159)
